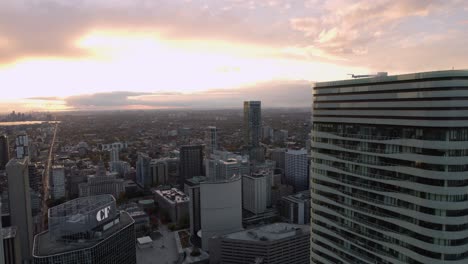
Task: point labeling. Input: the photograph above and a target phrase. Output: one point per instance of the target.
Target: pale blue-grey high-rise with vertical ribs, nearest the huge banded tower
(296, 171)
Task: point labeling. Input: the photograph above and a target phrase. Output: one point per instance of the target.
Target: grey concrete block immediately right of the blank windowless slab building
(256, 191)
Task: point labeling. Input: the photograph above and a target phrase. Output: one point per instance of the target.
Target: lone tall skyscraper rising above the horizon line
(252, 123)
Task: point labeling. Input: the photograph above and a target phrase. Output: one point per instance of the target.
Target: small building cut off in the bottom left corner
(11, 246)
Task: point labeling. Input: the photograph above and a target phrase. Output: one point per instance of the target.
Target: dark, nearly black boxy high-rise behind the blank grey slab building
(191, 163)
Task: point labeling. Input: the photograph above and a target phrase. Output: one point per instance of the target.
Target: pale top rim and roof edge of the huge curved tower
(395, 78)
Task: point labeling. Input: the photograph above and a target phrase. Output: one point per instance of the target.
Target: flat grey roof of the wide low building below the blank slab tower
(270, 232)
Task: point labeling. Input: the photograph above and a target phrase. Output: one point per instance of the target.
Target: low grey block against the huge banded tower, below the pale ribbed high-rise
(295, 209)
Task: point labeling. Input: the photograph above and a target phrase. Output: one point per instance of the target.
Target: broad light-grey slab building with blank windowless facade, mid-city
(221, 208)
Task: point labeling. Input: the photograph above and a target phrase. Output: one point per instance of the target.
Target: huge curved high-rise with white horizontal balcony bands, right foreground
(389, 169)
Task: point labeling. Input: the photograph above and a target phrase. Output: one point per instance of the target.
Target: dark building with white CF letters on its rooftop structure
(87, 230)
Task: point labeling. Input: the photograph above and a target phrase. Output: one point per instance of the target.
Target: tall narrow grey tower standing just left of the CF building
(20, 204)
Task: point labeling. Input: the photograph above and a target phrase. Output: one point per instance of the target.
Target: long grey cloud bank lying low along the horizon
(272, 94)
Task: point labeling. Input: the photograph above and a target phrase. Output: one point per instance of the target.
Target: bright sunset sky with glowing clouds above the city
(152, 54)
